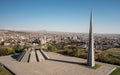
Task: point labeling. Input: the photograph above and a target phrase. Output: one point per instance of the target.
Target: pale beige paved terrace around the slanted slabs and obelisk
(56, 65)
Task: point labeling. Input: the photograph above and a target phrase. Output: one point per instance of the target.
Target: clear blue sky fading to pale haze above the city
(60, 15)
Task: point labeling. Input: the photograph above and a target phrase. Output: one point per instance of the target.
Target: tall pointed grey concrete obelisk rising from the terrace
(91, 59)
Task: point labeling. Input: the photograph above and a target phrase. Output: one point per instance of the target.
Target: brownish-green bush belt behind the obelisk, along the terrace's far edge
(105, 56)
